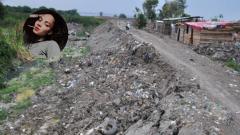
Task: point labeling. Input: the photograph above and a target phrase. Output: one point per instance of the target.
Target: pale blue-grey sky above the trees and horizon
(206, 8)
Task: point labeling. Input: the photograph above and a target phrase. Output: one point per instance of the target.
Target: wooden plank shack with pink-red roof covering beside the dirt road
(195, 33)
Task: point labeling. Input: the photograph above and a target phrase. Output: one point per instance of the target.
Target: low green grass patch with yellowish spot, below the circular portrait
(19, 90)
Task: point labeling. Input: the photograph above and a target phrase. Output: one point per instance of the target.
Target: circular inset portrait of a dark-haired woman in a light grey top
(45, 34)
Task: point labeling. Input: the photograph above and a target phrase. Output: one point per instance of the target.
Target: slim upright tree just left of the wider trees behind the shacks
(149, 8)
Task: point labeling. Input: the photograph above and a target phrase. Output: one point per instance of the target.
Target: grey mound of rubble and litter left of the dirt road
(121, 87)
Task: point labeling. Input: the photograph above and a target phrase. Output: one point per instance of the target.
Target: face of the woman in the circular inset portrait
(44, 25)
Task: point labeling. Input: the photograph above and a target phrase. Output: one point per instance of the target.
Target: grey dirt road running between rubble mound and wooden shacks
(222, 85)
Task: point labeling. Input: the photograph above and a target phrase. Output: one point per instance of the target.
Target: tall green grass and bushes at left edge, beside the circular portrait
(11, 43)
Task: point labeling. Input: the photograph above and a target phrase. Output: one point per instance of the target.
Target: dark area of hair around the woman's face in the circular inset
(59, 30)
